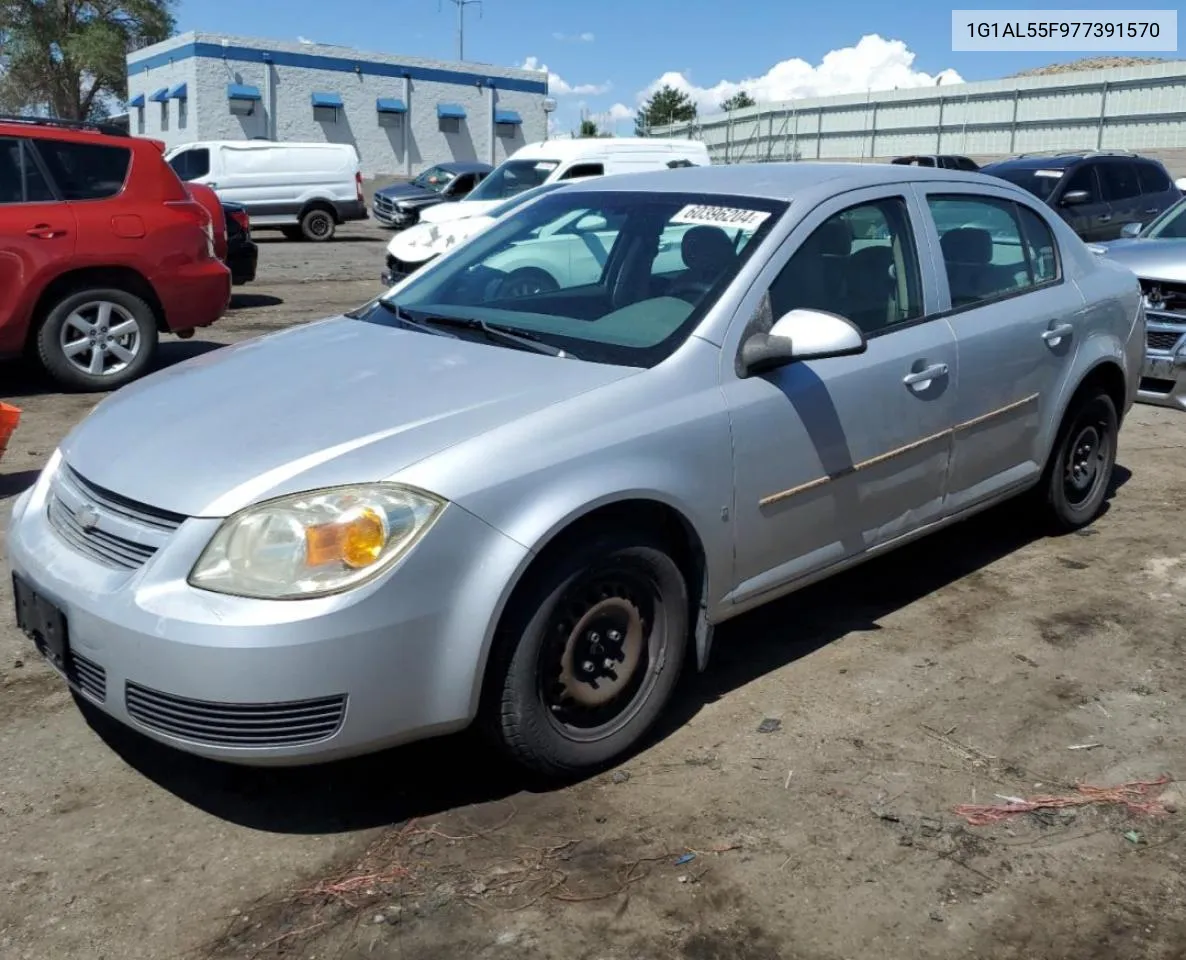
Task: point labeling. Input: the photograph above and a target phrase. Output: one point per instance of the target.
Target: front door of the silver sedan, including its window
(836, 457)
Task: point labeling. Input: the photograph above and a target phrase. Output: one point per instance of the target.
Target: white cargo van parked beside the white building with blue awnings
(303, 189)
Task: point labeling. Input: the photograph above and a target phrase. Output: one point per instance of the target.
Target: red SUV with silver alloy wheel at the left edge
(103, 249)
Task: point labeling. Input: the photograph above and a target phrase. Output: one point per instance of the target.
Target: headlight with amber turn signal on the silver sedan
(314, 544)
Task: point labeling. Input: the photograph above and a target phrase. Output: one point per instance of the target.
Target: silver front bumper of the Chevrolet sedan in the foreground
(272, 683)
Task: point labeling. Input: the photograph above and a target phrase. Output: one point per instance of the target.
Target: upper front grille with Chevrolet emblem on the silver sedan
(106, 527)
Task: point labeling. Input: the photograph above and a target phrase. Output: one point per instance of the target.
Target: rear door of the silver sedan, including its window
(1018, 325)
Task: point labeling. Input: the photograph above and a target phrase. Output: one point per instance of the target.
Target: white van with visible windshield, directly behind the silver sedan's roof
(551, 161)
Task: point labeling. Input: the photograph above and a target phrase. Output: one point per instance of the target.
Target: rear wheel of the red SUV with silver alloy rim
(98, 340)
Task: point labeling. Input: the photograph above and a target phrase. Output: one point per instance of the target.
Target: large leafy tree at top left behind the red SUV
(68, 56)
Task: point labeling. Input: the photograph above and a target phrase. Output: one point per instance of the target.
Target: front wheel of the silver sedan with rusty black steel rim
(589, 656)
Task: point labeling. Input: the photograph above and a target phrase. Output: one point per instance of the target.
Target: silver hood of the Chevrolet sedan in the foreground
(335, 402)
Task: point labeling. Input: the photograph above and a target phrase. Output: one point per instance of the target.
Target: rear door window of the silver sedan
(985, 252)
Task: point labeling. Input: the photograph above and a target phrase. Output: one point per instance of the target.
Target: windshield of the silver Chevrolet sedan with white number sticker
(608, 277)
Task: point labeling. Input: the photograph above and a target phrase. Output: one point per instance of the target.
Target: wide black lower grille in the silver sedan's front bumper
(260, 726)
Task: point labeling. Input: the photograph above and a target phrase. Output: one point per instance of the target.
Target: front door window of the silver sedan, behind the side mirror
(860, 264)
